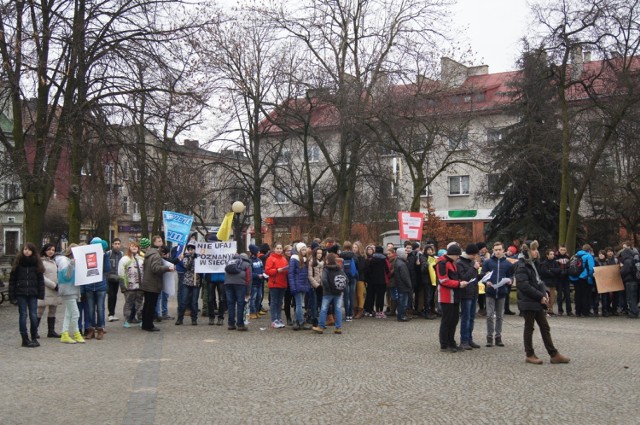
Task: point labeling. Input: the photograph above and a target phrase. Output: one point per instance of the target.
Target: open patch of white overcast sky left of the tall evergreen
(493, 30)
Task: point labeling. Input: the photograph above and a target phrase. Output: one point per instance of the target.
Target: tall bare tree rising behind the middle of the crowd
(356, 45)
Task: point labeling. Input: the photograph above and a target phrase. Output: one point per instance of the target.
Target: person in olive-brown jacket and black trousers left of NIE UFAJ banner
(151, 284)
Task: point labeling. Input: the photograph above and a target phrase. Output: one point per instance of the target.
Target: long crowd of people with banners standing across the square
(325, 284)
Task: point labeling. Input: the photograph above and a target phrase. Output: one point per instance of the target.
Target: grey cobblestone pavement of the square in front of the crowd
(376, 372)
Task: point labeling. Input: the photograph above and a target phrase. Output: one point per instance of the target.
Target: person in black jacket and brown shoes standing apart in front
(533, 300)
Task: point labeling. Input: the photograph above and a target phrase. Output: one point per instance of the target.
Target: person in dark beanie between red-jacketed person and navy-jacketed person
(468, 266)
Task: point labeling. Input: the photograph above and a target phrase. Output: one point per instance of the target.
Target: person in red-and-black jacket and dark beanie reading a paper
(448, 296)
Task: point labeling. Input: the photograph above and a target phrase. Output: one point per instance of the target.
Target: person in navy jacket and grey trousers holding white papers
(496, 292)
